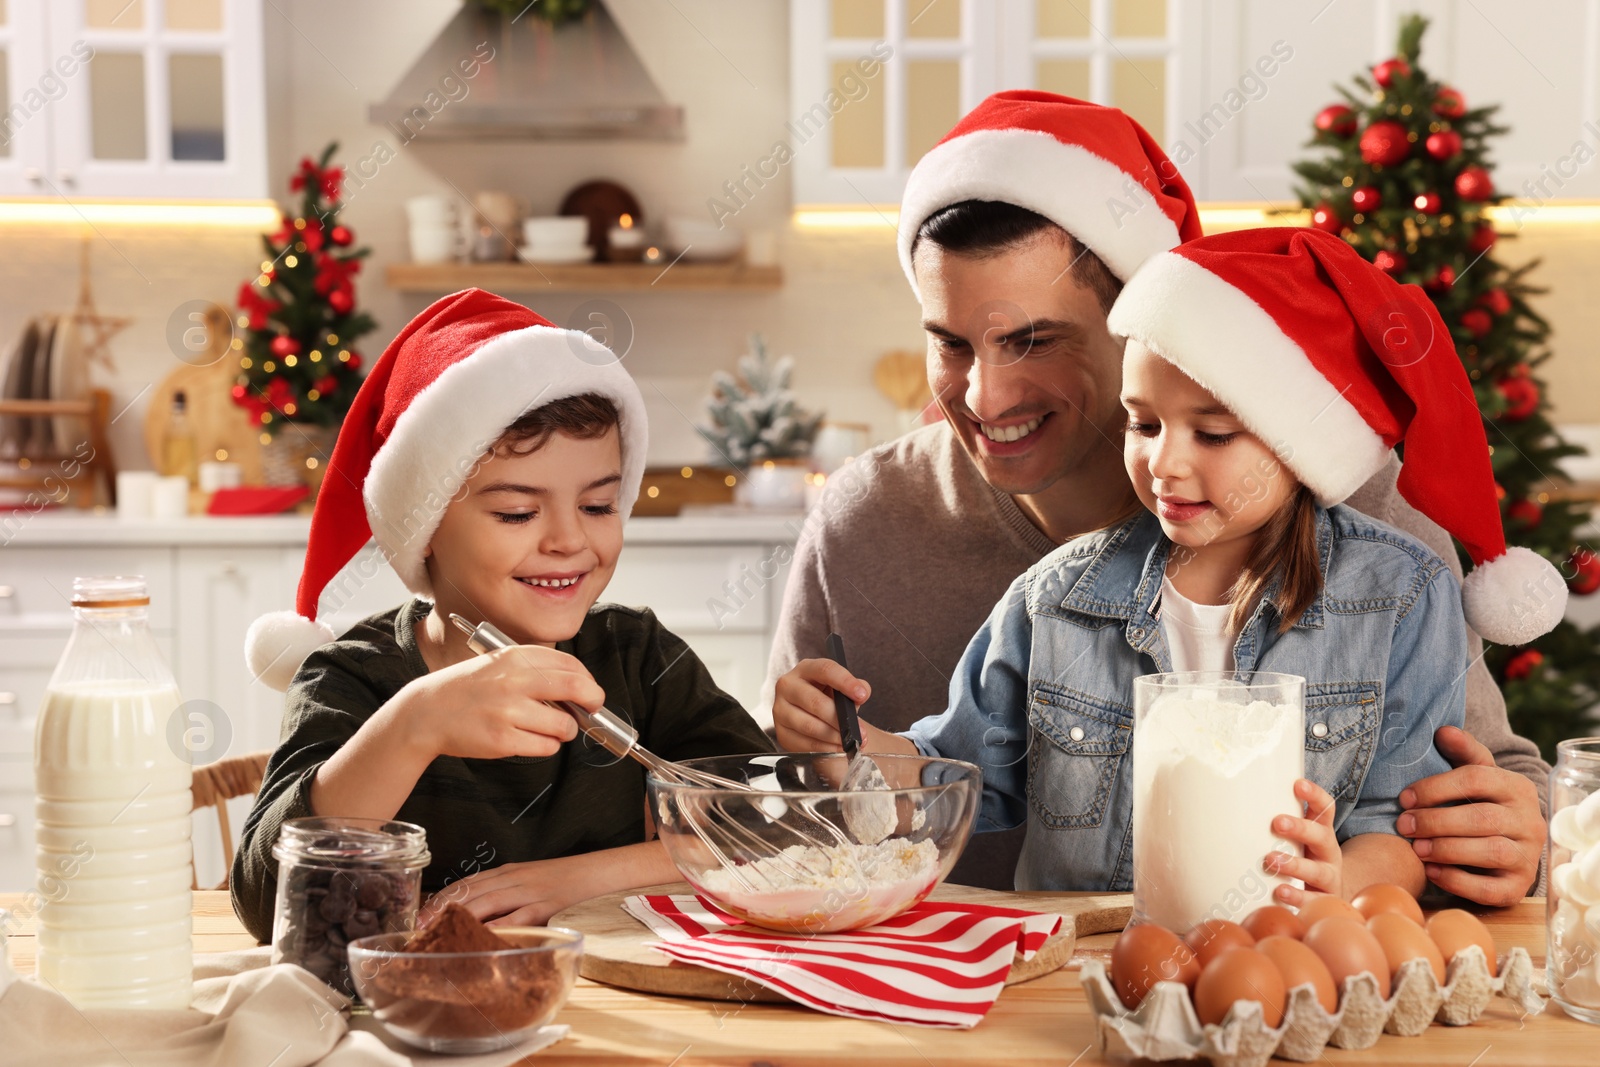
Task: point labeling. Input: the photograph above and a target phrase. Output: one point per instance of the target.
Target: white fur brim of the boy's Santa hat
(439, 439)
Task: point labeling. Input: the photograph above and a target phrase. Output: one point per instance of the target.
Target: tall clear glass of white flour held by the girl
(1215, 759)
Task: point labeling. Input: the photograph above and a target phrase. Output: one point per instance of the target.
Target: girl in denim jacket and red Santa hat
(1268, 375)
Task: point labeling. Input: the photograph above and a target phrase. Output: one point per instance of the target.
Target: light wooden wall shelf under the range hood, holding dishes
(585, 278)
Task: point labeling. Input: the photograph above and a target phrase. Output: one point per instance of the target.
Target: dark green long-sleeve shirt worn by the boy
(484, 813)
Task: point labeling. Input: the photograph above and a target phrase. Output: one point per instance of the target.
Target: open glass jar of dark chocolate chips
(340, 881)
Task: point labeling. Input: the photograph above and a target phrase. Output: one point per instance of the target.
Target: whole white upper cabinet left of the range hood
(132, 98)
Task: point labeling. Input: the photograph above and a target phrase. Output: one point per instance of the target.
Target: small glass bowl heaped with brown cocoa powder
(465, 988)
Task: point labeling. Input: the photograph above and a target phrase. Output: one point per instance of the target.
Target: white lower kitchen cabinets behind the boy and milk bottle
(718, 583)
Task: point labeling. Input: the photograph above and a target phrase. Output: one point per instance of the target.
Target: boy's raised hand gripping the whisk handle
(497, 705)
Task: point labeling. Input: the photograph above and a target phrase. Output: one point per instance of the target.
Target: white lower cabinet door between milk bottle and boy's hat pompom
(222, 593)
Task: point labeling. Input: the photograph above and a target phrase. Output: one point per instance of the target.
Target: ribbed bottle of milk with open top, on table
(113, 809)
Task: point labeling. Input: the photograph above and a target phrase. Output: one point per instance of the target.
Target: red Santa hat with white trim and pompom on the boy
(431, 407)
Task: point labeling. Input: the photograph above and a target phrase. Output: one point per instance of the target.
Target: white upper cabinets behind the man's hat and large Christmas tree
(1228, 87)
